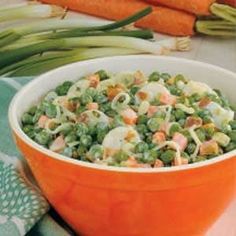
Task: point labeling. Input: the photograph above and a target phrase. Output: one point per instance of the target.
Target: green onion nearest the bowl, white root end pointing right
(154, 47)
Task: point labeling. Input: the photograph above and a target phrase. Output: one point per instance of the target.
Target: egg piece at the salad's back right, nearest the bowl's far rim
(197, 87)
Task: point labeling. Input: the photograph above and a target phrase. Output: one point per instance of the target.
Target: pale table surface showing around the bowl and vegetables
(221, 52)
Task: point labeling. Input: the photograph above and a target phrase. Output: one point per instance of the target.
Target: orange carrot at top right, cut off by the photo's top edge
(198, 7)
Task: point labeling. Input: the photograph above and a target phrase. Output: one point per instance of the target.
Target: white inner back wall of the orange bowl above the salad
(215, 77)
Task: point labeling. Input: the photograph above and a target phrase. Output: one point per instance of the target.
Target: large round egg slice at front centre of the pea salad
(120, 136)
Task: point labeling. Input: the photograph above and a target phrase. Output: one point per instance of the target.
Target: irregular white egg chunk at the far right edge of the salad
(220, 115)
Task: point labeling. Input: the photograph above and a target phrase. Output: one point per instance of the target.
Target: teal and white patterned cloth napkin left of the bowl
(23, 209)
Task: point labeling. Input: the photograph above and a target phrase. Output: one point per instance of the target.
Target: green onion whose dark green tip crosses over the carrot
(10, 35)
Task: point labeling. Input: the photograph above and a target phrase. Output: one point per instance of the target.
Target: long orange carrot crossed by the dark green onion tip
(162, 19)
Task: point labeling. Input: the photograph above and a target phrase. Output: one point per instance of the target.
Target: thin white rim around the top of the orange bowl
(15, 126)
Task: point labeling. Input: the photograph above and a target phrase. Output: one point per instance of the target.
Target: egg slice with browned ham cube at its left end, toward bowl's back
(151, 91)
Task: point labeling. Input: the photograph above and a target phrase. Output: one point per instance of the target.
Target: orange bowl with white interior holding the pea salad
(99, 200)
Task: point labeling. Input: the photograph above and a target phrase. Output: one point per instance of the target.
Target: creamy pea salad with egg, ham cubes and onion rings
(129, 119)
